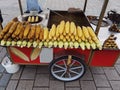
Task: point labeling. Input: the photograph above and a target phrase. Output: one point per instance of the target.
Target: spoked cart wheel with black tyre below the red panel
(63, 72)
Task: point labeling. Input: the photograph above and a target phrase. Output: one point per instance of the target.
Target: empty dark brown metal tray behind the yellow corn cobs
(78, 17)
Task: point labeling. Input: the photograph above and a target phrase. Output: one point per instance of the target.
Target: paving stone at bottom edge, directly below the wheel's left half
(56, 85)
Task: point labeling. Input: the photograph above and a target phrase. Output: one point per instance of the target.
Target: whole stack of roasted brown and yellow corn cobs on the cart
(64, 35)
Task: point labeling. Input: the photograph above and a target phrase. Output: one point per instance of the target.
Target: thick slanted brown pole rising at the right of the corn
(101, 16)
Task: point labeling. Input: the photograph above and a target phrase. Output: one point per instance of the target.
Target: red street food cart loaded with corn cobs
(67, 54)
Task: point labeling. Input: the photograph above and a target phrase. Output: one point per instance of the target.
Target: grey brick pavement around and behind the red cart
(38, 77)
